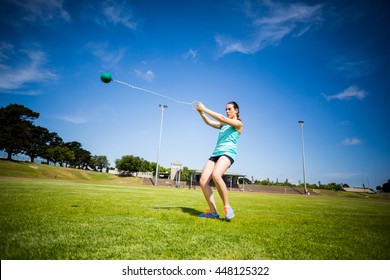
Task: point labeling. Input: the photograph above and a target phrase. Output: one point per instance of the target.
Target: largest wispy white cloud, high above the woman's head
(269, 29)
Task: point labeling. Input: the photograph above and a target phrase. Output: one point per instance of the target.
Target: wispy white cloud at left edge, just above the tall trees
(17, 75)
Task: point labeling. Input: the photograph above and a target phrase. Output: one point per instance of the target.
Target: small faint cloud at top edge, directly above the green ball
(119, 13)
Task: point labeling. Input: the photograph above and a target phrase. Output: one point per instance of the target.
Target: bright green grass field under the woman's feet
(62, 219)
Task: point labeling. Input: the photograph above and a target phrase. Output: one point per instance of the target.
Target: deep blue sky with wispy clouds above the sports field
(324, 62)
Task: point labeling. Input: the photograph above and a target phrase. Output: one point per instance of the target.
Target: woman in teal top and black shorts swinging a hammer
(230, 129)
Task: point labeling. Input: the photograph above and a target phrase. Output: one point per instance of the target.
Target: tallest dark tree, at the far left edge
(15, 128)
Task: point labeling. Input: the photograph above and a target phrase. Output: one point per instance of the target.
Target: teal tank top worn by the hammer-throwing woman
(227, 141)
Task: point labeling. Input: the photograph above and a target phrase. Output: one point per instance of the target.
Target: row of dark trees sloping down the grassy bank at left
(19, 135)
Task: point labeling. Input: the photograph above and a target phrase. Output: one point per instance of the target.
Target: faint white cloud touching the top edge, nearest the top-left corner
(43, 10)
